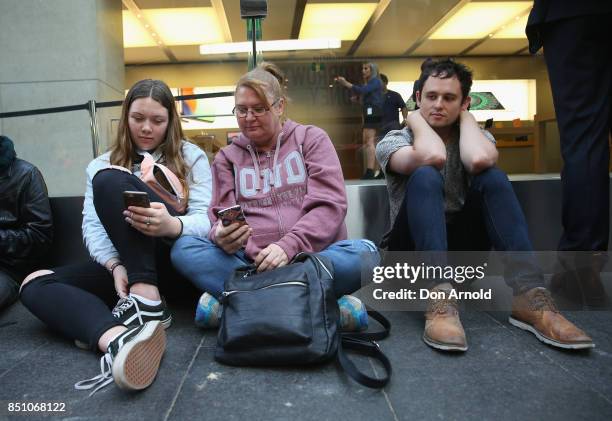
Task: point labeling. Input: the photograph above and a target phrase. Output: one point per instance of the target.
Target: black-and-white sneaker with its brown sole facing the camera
(132, 359)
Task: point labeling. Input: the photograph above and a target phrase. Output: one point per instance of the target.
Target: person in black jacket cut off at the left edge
(26, 228)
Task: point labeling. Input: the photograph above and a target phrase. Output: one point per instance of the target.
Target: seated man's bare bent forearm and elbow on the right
(477, 152)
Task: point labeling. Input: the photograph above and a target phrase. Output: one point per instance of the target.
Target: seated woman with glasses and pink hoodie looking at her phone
(288, 180)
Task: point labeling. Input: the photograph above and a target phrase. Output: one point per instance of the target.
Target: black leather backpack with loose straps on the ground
(290, 316)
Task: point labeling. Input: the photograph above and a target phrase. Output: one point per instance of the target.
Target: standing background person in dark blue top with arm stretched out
(372, 110)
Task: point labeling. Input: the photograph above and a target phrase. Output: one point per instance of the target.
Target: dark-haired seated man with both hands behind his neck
(447, 194)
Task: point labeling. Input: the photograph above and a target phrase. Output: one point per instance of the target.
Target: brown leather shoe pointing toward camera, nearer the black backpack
(443, 329)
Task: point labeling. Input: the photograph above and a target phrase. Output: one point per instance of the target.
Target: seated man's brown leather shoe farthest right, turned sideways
(535, 311)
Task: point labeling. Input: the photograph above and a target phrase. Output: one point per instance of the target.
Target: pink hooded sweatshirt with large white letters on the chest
(300, 205)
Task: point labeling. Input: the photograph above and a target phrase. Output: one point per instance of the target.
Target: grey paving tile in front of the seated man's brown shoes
(500, 376)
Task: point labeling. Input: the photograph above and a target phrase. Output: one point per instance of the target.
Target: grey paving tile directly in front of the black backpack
(322, 392)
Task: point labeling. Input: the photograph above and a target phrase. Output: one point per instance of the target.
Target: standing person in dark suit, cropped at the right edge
(576, 39)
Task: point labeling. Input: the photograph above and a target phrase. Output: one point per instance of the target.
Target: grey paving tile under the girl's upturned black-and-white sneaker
(49, 375)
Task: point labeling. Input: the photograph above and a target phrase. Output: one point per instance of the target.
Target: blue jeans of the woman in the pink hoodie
(207, 266)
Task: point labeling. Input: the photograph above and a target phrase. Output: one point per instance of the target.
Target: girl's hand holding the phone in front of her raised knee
(154, 221)
